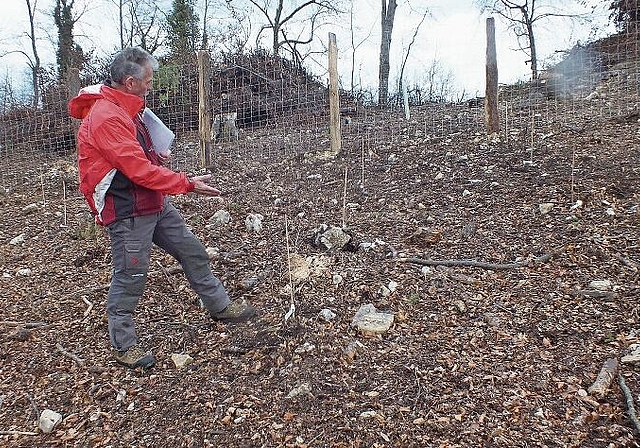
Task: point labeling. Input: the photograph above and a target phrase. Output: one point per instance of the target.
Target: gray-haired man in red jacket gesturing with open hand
(124, 183)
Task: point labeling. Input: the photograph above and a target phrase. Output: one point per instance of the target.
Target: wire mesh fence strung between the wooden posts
(265, 107)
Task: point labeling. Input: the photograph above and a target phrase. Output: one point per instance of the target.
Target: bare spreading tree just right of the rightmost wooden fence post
(522, 16)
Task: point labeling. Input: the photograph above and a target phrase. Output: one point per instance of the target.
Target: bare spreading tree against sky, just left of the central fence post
(308, 16)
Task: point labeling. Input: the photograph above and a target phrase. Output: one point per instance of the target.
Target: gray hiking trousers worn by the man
(131, 241)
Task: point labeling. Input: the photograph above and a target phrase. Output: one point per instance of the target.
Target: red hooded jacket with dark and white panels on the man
(120, 175)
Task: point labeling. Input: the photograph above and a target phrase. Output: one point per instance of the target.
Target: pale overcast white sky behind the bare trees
(454, 34)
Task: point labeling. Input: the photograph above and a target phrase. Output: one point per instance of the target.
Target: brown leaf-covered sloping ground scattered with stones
(475, 357)
